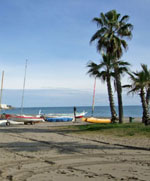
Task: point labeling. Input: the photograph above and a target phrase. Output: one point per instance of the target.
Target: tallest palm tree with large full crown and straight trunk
(110, 40)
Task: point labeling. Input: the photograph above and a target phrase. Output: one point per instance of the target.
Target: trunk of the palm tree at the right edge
(144, 106)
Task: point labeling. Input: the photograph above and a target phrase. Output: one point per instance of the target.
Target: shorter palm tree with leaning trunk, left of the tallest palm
(104, 72)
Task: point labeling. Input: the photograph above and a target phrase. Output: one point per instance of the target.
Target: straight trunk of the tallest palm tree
(119, 95)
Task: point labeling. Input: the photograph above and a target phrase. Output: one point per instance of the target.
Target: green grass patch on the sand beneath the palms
(126, 129)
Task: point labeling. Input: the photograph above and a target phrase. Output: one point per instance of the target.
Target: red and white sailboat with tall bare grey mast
(22, 117)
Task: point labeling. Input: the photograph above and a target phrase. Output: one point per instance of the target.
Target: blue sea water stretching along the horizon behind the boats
(99, 111)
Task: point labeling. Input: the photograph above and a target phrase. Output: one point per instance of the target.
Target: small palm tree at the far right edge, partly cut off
(139, 82)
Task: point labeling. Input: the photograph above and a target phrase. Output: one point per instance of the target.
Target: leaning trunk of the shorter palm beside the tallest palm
(111, 101)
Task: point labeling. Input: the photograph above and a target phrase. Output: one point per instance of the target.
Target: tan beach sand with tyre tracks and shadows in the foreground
(43, 152)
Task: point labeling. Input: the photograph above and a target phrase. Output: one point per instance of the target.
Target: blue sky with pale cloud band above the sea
(54, 35)
